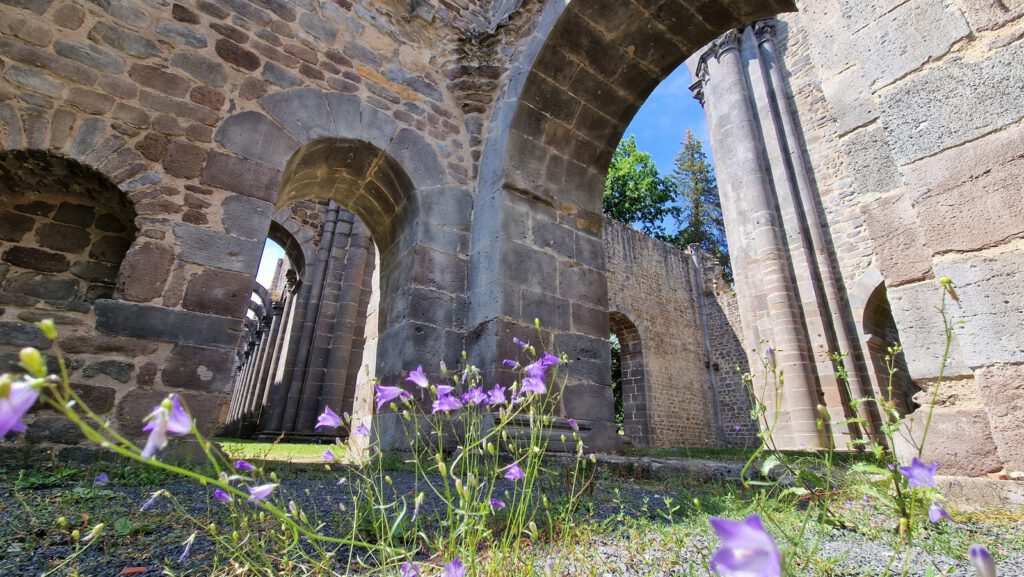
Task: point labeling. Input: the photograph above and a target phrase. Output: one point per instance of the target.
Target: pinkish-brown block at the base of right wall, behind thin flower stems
(974, 454)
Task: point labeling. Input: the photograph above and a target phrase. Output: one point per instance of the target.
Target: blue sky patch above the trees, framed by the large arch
(661, 125)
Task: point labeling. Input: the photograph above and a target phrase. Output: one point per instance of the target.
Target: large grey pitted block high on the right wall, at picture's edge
(972, 105)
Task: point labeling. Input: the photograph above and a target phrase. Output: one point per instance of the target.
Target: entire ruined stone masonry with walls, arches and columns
(435, 170)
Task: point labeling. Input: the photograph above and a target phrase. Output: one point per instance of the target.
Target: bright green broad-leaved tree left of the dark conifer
(636, 194)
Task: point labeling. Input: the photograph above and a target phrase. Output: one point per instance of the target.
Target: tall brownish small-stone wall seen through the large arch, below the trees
(653, 285)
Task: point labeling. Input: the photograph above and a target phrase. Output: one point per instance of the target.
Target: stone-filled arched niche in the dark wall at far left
(65, 230)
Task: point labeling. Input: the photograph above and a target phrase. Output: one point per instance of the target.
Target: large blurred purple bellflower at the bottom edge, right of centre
(748, 551)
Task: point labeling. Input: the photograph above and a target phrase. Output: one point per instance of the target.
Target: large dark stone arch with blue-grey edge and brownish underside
(582, 76)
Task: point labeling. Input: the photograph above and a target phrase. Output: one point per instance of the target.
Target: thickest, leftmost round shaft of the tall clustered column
(756, 234)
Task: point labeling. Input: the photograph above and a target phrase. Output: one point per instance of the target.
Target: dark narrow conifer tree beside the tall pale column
(694, 180)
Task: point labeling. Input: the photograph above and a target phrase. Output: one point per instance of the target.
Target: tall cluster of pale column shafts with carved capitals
(790, 295)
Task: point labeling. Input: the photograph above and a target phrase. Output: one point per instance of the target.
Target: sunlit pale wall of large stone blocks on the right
(912, 119)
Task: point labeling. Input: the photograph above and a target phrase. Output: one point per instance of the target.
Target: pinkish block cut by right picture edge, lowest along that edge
(1002, 389)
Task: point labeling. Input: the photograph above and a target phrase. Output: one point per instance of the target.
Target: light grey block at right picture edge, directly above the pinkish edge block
(990, 290)
